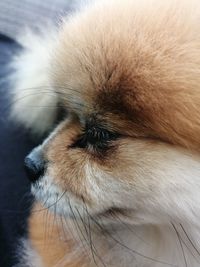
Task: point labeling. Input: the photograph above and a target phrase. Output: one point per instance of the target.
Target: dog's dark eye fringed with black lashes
(98, 138)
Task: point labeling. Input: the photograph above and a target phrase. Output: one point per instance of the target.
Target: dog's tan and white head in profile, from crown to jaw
(131, 89)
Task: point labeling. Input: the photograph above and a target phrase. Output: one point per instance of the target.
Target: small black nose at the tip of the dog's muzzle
(34, 169)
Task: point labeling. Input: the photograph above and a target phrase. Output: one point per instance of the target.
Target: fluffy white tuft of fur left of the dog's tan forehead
(33, 100)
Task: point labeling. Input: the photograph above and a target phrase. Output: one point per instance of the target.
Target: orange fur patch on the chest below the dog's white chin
(49, 240)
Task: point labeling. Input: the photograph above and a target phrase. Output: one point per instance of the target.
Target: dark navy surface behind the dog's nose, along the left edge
(14, 186)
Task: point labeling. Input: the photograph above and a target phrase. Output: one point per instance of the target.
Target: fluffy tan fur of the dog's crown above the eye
(138, 61)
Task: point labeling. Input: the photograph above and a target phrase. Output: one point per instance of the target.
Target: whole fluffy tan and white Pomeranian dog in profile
(117, 182)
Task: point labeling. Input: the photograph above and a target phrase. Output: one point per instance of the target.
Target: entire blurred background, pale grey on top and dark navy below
(15, 143)
